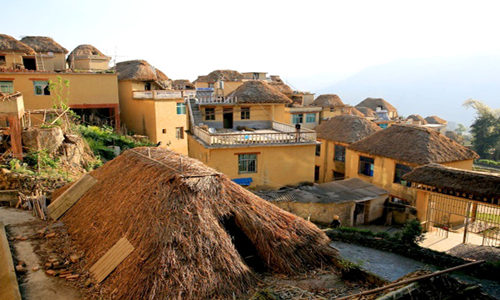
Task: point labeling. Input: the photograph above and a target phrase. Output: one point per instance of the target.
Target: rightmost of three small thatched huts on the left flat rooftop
(88, 58)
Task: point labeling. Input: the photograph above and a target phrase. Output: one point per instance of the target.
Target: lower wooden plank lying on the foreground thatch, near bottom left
(111, 259)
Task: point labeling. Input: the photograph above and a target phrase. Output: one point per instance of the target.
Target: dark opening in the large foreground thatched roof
(243, 245)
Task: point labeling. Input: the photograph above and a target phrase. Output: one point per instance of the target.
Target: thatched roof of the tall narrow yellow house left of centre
(139, 70)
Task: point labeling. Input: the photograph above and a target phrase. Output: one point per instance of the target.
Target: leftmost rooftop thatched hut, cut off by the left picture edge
(15, 54)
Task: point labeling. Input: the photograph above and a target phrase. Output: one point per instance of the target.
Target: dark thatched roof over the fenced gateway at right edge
(463, 181)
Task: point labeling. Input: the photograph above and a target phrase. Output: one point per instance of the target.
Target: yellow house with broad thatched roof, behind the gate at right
(385, 156)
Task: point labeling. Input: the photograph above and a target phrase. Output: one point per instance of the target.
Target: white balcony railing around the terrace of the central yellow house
(280, 134)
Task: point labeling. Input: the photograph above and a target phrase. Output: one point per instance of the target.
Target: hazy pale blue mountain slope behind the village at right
(435, 86)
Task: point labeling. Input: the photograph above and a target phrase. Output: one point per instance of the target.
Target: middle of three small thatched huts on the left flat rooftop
(50, 56)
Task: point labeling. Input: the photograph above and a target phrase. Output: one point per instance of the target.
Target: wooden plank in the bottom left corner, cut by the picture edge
(9, 289)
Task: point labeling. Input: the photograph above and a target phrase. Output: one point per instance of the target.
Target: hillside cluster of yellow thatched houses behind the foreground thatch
(250, 126)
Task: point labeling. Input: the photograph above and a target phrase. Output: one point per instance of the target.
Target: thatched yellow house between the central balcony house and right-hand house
(335, 135)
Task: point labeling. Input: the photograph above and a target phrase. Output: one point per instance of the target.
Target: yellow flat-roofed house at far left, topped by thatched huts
(29, 69)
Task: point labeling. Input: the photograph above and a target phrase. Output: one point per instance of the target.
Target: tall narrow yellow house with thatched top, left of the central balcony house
(149, 106)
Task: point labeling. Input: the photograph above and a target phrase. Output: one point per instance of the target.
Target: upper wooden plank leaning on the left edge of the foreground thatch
(67, 199)
